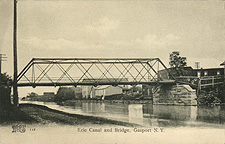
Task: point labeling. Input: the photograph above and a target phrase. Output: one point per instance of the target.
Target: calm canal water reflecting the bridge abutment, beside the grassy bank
(147, 114)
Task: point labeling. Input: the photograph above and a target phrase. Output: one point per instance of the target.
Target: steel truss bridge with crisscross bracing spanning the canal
(92, 71)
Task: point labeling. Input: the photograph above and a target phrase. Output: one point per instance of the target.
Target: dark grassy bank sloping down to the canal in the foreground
(37, 114)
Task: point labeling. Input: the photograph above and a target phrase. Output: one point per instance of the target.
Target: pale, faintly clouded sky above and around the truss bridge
(114, 29)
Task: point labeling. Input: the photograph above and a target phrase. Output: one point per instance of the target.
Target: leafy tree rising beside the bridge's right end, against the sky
(177, 64)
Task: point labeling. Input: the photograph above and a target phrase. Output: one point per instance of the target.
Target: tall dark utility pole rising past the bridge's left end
(15, 89)
